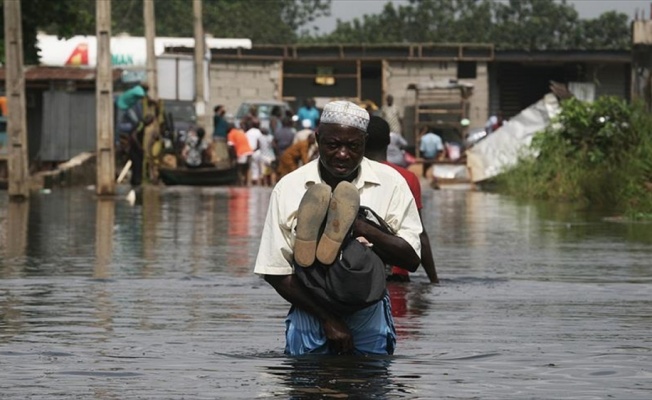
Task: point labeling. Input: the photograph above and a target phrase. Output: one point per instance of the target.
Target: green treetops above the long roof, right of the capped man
(516, 24)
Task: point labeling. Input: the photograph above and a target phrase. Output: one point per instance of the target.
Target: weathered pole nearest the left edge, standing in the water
(18, 187)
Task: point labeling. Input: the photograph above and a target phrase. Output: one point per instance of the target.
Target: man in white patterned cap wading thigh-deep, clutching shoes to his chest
(328, 189)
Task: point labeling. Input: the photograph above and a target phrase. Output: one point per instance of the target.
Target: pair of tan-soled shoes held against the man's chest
(339, 209)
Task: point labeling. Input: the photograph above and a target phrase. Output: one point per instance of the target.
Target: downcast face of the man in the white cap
(341, 148)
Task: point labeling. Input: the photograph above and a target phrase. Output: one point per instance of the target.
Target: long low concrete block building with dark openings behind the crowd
(505, 81)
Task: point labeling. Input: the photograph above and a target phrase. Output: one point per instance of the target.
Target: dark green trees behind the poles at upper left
(262, 21)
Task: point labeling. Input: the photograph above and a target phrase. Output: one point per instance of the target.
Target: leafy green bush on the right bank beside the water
(596, 153)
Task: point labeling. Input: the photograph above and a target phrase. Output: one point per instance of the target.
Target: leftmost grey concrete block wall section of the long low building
(232, 82)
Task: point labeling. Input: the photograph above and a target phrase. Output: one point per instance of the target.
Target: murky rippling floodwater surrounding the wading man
(103, 300)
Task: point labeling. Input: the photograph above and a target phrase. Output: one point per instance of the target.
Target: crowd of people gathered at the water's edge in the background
(263, 154)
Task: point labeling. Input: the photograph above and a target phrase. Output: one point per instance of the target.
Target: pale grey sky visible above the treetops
(346, 10)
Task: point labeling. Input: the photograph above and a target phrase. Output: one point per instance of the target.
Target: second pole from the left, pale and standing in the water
(104, 101)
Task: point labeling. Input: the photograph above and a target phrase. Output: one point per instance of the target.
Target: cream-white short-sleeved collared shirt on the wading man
(381, 188)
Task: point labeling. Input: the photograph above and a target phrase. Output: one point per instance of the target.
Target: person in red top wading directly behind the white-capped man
(376, 149)
